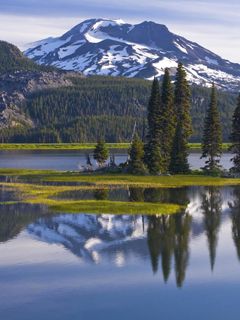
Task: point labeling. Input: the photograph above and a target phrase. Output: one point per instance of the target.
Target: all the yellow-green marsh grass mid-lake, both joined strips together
(29, 184)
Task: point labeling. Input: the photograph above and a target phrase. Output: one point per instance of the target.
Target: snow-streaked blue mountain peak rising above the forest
(113, 47)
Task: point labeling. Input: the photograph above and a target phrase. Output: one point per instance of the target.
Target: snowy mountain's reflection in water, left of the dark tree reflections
(89, 236)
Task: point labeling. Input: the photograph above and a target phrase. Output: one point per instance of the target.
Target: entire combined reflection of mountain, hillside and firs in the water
(164, 241)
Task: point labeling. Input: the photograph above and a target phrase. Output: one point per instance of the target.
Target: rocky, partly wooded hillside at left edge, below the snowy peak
(19, 77)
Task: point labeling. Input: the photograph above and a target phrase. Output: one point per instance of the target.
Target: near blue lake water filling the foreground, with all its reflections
(62, 266)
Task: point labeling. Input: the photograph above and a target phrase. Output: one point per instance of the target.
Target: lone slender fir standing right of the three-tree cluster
(212, 136)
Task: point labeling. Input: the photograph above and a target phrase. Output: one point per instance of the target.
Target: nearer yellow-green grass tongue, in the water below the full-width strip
(37, 194)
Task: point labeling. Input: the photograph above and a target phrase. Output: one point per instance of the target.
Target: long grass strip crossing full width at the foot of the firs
(102, 180)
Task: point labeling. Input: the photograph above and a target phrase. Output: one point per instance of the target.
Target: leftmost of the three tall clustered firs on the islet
(152, 150)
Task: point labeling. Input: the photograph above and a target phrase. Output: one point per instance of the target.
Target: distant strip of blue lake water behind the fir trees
(74, 160)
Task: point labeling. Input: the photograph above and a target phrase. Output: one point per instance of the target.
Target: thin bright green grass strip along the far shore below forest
(78, 146)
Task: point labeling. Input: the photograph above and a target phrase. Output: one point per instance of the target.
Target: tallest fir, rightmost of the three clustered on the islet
(179, 155)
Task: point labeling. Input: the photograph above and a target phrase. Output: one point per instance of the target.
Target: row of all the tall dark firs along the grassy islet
(165, 146)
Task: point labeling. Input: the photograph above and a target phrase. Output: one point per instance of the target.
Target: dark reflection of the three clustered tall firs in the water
(168, 236)
